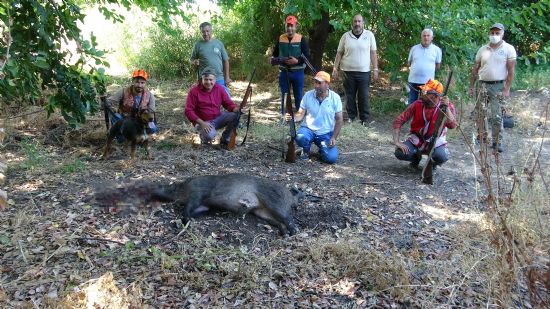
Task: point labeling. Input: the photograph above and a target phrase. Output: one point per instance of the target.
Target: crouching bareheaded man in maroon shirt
(203, 109)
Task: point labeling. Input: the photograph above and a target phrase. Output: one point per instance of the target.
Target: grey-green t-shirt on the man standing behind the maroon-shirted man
(210, 54)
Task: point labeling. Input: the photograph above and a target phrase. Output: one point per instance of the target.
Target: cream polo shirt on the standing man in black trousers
(356, 51)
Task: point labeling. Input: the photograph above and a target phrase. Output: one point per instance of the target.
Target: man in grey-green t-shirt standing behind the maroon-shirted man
(210, 53)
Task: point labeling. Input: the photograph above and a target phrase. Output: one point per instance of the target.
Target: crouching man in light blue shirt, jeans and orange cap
(321, 112)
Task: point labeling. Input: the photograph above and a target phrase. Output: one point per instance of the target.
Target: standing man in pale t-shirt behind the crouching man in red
(424, 59)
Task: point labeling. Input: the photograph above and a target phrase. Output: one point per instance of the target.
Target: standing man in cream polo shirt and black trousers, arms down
(356, 51)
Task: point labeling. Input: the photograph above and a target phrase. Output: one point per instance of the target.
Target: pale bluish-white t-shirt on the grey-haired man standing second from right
(423, 61)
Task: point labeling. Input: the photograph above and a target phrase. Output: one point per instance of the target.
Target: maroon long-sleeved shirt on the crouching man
(206, 105)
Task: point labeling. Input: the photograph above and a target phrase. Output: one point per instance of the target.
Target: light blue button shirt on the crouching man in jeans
(319, 116)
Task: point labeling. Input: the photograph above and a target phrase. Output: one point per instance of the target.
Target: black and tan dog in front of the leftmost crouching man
(133, 131)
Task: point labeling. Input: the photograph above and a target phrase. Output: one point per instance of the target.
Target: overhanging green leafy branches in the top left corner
(38, 63)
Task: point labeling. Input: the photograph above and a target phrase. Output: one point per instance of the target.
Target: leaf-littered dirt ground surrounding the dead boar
(367, 210)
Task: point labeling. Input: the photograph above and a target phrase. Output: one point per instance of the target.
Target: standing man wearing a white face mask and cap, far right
(495, 67)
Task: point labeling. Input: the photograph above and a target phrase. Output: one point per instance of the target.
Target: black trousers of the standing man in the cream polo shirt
(356, 87)
